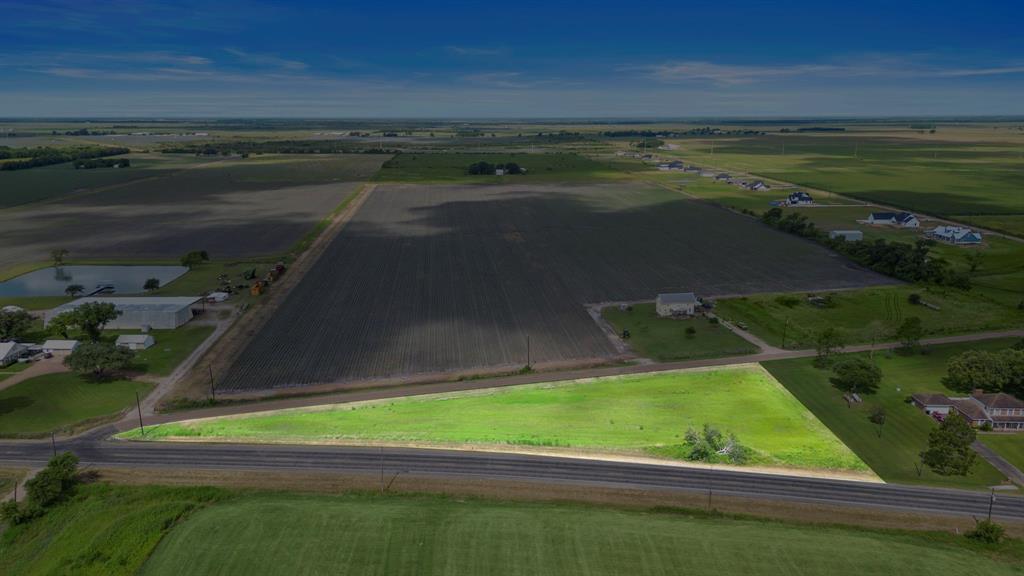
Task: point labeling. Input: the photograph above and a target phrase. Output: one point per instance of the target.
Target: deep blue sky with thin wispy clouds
(446, 60)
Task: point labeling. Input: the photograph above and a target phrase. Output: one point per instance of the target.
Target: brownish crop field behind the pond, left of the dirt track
(232, 209)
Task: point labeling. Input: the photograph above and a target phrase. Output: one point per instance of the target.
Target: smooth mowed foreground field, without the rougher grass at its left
(428, 536)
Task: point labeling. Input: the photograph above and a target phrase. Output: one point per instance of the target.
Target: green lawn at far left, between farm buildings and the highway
(60, 402)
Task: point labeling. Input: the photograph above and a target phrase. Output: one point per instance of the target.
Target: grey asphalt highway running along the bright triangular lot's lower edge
(97, 452)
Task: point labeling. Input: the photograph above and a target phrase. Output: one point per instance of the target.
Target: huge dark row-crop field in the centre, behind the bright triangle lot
(443, 278)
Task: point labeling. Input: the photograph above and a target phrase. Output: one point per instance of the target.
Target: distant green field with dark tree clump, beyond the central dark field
(451, 168)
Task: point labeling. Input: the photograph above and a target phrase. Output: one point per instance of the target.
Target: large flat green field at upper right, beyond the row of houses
(943, 174)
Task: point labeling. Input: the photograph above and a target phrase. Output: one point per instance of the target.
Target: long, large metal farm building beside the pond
(139, 312)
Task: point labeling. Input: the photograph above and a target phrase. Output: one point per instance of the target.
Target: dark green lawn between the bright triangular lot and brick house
(892, 456)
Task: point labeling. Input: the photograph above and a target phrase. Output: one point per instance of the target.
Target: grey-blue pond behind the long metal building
(122, 279)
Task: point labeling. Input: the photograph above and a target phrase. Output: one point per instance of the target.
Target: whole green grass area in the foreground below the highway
(120, 531)
